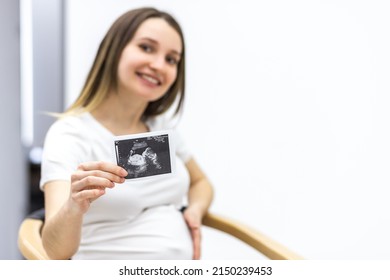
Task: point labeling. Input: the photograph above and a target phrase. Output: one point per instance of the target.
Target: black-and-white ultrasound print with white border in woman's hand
(144, 155)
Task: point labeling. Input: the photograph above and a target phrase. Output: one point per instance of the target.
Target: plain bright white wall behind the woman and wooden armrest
(287, 112)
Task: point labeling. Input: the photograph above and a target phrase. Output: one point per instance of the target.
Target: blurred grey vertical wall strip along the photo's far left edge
(13, 163)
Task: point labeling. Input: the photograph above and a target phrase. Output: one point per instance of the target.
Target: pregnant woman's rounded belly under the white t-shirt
(157, 233)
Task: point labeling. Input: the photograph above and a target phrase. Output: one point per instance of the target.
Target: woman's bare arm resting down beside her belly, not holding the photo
(199, 200)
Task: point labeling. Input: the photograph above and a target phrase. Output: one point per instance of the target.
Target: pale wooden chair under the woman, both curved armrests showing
(30, 242)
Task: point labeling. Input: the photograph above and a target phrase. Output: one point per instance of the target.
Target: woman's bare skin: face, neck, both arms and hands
(147, 69)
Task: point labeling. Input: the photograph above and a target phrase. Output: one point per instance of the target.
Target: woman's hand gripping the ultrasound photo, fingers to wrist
(90, 180)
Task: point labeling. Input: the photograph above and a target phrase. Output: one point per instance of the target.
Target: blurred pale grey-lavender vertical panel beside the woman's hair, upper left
(48, 65)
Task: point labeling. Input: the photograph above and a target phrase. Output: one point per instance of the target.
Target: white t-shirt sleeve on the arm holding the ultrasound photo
(64, 149)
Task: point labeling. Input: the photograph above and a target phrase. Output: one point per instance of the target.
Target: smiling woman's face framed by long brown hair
(148, 64)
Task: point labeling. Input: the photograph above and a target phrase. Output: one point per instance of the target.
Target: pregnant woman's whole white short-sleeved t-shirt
(134, 220)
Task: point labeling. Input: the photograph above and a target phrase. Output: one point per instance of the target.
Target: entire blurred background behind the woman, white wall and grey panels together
(287, 112)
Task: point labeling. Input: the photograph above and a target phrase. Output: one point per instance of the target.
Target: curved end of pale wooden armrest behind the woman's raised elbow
(29, 240)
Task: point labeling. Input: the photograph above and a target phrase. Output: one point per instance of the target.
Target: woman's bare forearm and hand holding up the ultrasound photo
(67, 202)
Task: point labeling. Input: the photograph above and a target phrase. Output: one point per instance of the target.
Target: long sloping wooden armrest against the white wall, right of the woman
(255, 239)
